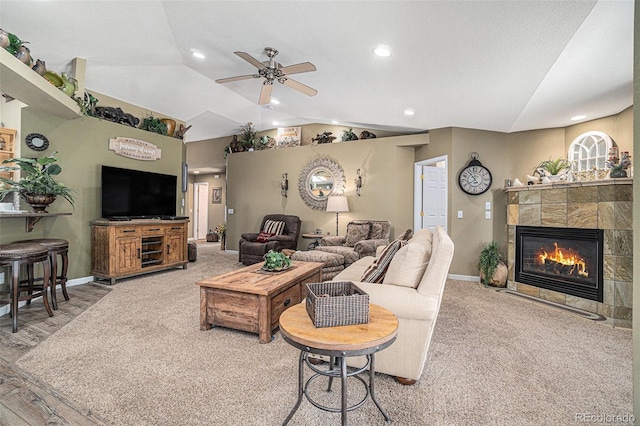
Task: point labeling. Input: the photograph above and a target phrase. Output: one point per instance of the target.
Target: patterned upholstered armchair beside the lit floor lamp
(362, 239)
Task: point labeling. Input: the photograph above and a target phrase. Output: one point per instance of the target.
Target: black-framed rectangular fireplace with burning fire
(566, 260)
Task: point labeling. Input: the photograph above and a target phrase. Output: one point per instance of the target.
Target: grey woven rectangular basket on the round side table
(334, 303)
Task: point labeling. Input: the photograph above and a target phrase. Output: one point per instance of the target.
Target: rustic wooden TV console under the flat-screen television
(127, 248)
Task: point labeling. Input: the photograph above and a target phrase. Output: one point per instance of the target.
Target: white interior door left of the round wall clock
(430, 194)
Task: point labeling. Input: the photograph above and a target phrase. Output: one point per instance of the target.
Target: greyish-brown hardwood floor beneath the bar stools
(24, 400)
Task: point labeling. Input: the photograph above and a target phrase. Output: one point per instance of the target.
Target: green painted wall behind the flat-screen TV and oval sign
(82, 146)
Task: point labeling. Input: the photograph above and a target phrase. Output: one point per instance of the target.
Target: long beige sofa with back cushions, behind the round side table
(412, 289)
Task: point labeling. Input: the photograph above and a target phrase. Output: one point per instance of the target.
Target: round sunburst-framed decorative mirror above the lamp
(319, 179)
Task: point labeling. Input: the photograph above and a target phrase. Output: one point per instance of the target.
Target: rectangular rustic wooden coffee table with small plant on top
(250, 300)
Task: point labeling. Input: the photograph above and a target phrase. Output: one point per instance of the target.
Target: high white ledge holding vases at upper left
(22, 83)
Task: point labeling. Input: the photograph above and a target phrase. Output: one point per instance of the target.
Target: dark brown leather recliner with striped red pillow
(253, 246)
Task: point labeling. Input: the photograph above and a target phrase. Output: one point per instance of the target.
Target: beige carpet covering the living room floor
(137, 357)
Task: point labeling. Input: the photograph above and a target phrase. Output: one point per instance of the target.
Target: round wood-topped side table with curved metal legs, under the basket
(338, 343)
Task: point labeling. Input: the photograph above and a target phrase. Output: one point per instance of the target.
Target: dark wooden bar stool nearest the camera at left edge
(16, 255)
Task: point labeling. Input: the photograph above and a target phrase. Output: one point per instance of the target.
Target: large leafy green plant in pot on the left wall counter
(37, 185)
